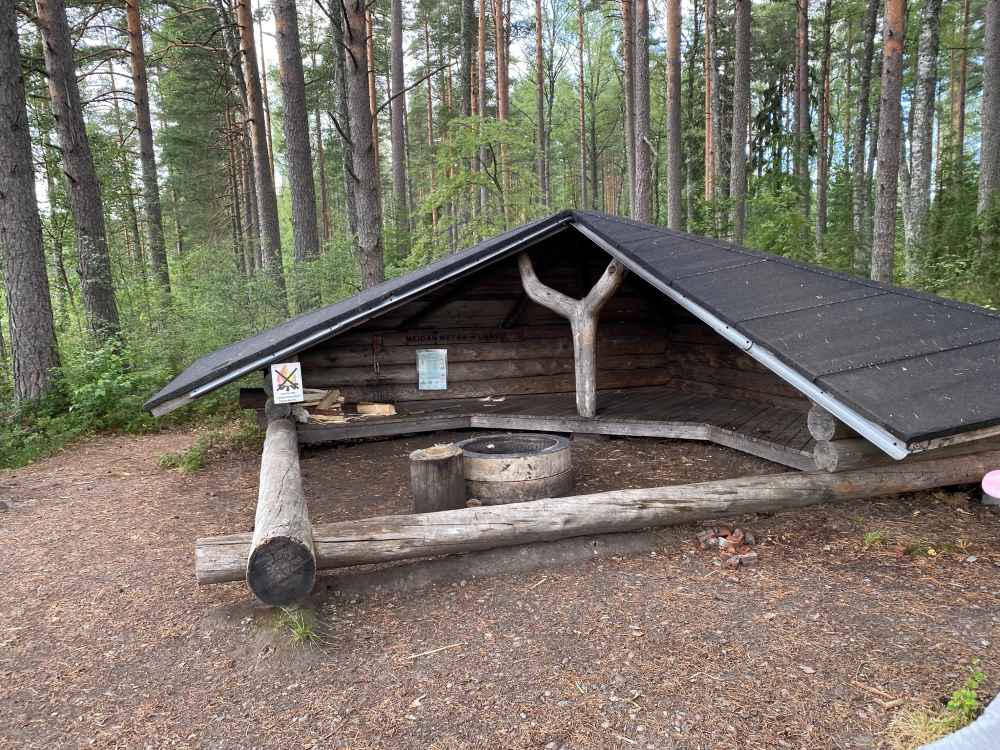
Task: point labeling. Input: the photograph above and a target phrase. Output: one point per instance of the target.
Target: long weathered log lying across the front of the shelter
(374, 540)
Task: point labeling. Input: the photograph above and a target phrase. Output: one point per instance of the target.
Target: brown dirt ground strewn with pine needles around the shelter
(107, 641)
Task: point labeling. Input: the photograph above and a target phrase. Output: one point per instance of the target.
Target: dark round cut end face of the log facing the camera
(281, 571)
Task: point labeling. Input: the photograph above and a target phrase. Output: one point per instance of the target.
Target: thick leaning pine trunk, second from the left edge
(83, 187)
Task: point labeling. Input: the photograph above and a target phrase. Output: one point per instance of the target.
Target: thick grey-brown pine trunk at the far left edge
(29, 308)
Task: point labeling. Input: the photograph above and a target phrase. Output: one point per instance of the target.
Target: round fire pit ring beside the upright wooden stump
(517, 467)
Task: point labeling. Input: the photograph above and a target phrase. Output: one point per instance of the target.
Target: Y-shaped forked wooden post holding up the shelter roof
(582, 316)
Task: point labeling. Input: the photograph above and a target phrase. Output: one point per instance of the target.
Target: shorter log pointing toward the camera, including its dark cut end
(279, 561)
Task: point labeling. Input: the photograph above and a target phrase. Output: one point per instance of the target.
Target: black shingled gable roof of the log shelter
(917, 365)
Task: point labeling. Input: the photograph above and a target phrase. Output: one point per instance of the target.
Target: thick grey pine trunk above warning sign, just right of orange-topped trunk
(298, 150)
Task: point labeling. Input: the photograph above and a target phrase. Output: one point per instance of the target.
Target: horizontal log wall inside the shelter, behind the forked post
(501, 343)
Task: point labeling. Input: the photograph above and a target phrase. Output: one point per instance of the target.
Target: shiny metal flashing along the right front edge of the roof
(886, 441)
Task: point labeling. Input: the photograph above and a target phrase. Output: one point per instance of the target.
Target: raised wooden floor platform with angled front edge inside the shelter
(764, 430)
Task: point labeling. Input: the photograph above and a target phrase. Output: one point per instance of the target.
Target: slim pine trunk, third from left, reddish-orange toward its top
(147, 156)
